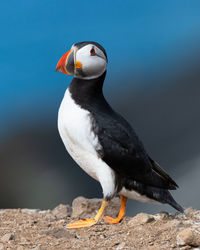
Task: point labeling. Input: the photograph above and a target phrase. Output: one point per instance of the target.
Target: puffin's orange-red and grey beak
(66, 63)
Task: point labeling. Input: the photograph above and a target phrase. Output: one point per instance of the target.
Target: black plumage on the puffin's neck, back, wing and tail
(121, 148)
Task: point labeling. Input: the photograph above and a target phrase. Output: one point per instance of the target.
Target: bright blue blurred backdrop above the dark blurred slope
(137, 35)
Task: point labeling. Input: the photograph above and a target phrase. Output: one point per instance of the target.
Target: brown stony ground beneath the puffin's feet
(39, 230)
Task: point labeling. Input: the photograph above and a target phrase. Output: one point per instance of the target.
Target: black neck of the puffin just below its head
(87, 92)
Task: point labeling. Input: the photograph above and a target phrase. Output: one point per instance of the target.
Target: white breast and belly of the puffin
(74, 125)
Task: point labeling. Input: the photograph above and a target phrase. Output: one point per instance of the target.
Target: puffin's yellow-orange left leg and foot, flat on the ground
(89, 222)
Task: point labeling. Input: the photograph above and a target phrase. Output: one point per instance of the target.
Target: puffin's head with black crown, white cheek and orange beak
(85, 60)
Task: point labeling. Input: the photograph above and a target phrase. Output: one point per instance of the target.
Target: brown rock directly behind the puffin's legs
(82, 207)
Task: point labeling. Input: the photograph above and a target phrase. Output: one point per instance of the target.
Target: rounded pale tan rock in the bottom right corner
(189, 237)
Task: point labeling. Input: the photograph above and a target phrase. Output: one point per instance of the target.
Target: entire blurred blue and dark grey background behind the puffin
(153, 80)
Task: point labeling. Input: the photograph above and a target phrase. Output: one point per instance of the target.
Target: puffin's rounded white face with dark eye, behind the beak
(93, 62)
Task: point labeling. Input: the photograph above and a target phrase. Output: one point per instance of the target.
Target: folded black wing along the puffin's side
(123, 152)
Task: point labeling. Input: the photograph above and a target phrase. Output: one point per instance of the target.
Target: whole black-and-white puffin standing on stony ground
(102, 142)
